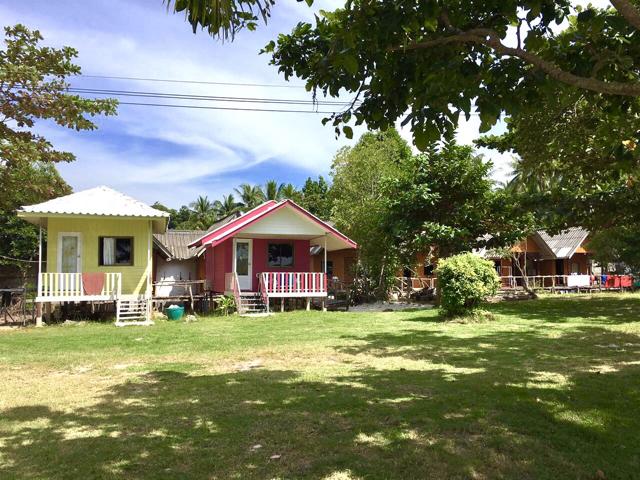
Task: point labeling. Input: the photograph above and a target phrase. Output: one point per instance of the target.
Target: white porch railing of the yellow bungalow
(56, 285)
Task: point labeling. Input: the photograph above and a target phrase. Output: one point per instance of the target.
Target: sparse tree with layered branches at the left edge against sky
(33, 87)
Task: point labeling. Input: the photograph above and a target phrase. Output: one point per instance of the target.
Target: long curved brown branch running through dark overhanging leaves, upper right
(490, 38)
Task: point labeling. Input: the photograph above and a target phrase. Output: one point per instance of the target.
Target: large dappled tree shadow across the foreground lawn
(424, 404)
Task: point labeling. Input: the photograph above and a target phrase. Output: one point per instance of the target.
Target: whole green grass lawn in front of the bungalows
(547, 389)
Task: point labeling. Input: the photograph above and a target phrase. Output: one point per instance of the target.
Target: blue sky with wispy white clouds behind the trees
(173, 155)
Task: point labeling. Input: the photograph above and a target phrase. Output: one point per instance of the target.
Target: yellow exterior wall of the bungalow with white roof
(134, 277)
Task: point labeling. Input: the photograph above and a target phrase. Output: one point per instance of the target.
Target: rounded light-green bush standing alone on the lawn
(465, 281)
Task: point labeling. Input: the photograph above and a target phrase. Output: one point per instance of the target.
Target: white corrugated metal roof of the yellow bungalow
(103, 201)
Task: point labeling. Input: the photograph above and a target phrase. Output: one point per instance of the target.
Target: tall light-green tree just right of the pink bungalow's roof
(360, 208)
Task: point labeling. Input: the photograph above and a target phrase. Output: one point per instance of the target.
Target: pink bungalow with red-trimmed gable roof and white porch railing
(265, 254)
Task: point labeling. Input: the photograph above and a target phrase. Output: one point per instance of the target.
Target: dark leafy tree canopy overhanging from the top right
(439, 59)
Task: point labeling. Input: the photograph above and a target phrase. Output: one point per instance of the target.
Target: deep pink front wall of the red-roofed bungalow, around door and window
(219, 260)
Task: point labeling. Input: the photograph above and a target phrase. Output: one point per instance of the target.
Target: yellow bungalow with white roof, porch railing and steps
(99, 249)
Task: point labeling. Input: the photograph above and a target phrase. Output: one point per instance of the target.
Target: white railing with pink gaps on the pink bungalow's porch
(293, 284)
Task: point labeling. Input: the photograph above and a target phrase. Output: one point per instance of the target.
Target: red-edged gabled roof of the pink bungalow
(256, 214)
